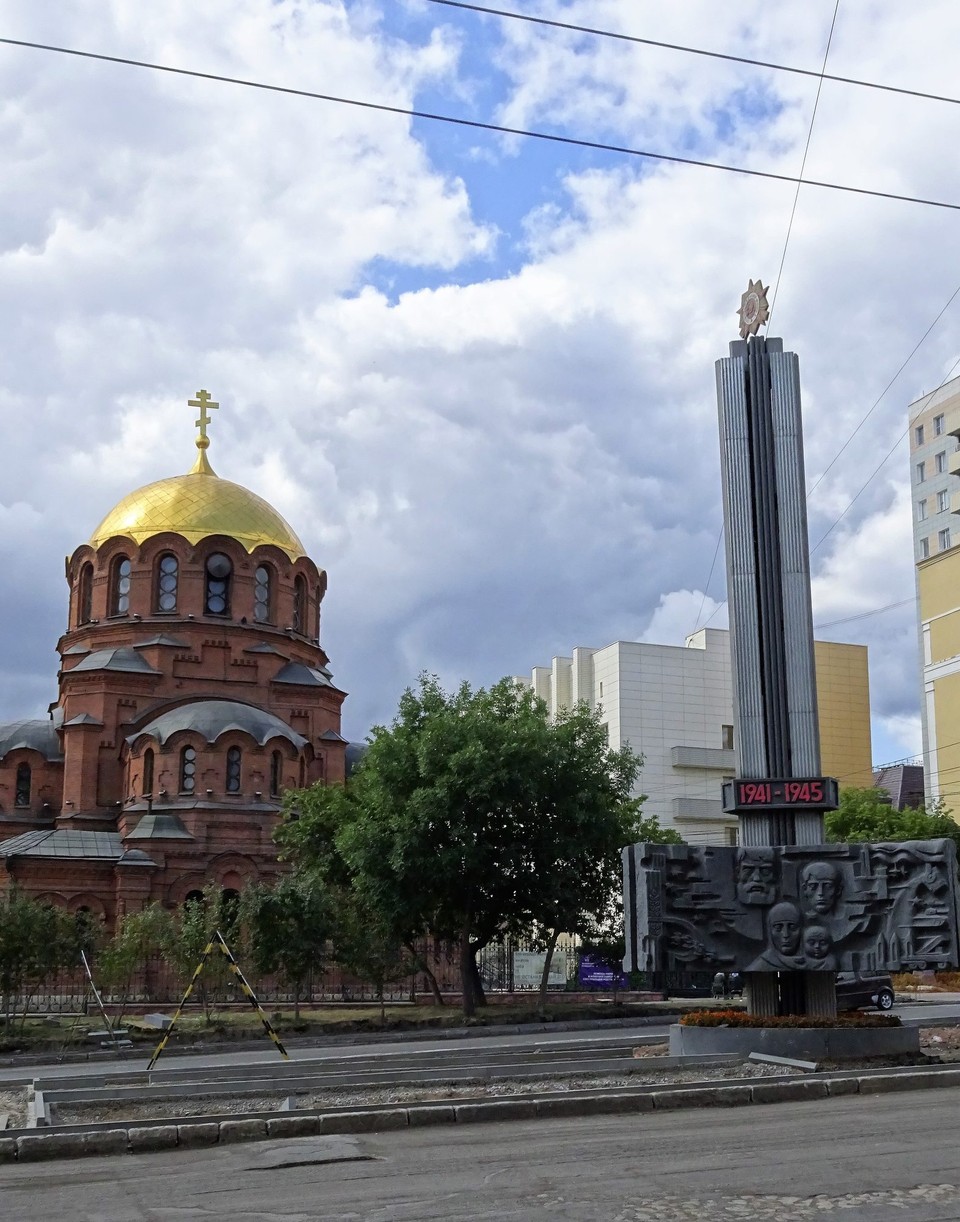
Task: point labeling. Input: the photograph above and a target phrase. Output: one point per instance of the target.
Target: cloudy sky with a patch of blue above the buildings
(476, 372)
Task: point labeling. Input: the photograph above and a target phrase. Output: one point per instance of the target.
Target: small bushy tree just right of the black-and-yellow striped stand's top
(289, 927)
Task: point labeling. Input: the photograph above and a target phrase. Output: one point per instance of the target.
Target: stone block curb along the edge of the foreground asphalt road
(36, 1147)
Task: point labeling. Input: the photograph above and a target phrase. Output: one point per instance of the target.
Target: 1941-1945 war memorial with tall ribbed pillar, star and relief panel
(785, 909)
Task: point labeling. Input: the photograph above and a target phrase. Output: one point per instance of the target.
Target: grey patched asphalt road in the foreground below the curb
(858, 1160)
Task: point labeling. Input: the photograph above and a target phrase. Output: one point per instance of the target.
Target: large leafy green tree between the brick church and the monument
(475, 816)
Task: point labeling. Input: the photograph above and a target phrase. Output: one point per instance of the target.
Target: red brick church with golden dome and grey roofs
(192, 692)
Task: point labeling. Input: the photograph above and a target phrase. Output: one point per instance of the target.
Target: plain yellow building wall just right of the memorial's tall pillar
(843, 692)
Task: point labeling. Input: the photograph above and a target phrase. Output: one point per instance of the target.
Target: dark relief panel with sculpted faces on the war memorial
(792, 909)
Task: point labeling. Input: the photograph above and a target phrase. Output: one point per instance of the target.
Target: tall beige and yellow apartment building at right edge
(935, 466)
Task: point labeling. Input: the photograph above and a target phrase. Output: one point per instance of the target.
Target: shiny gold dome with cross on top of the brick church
(197, 505)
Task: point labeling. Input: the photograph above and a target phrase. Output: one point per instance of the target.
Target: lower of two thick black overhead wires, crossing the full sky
(476, 124)
